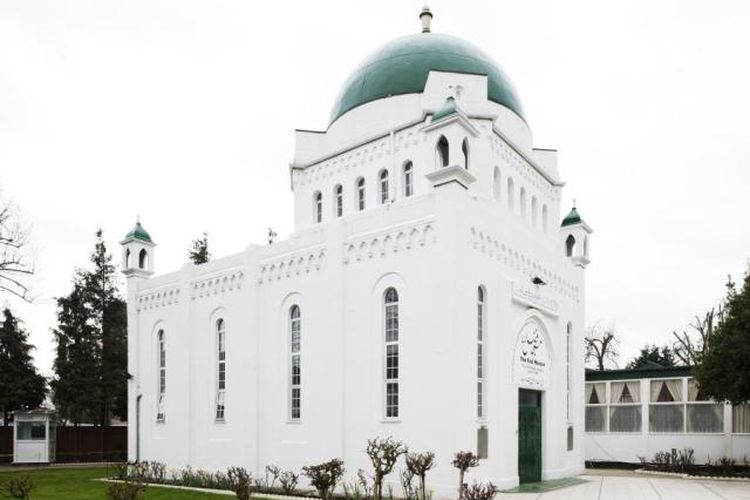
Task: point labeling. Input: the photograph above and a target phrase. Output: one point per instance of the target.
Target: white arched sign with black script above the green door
(531, 359)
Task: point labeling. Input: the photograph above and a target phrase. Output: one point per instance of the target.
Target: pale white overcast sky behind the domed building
(184, 111)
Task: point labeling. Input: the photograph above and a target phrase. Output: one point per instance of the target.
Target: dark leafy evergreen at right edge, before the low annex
(724, 373)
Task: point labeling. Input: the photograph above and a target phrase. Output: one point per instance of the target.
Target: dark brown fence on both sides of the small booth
(78, 444)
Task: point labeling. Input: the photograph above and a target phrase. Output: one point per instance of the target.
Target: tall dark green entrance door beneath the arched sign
(529, 437)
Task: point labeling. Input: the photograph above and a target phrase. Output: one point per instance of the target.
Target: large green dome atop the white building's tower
(402, 66)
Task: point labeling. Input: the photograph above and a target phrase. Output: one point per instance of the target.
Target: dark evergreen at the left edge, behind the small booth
(21, 386)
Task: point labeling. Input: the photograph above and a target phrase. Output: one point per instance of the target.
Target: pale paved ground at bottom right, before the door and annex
(642, 488)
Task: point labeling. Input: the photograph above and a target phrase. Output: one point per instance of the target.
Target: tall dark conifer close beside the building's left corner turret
(90, 384)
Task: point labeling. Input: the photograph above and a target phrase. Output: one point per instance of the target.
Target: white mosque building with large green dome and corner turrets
(428, 292)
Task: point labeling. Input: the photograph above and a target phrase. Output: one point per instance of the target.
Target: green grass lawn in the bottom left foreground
(53, 483)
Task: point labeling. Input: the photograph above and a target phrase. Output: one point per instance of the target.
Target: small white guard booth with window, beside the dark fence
(34, 437)
